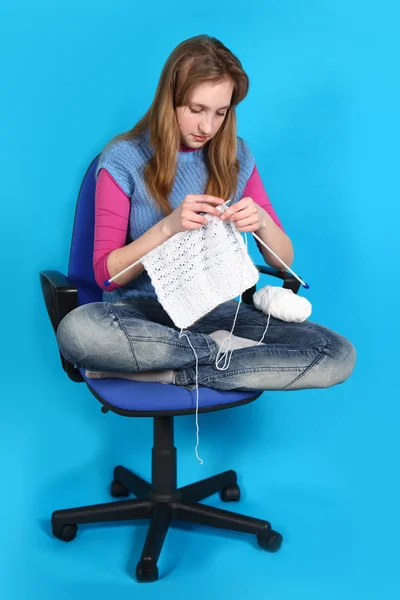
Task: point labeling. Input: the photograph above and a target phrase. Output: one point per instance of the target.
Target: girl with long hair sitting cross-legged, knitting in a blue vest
(179, 162)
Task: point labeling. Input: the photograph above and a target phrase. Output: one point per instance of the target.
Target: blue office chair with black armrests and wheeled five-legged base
(160, 501)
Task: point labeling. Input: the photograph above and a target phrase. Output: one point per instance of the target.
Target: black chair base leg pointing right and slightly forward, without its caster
(222, 519)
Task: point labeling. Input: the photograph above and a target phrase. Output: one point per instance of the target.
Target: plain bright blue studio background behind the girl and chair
(322, 465)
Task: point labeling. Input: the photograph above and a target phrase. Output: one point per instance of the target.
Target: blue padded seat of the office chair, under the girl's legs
(147, 399)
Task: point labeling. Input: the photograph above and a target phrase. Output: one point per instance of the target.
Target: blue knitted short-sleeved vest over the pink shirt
(125, 161)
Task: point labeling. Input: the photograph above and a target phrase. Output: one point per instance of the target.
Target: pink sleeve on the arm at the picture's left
(112, 207)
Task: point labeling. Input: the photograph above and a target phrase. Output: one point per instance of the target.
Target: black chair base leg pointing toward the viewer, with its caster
(147, 567)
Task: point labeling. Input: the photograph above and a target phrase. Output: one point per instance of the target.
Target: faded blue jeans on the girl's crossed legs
(138, 335)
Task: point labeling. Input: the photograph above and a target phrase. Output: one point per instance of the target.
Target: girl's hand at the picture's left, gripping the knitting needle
(186, 216)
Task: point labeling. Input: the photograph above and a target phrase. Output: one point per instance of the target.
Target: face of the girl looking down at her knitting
(205, 113)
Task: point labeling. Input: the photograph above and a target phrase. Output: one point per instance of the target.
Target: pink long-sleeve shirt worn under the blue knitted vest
(112, 208)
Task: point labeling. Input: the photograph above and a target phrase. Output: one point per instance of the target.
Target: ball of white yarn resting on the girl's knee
(282, 303)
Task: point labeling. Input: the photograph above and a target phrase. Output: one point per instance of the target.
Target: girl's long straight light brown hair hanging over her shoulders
(195, 60)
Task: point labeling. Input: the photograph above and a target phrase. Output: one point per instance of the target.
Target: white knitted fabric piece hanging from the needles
(196, 270)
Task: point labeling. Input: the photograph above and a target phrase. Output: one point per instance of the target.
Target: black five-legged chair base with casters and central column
(163, 503)
